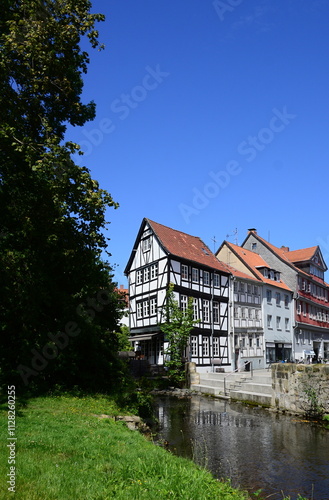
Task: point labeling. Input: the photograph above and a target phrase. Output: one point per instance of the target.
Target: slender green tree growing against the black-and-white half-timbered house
(177, 329)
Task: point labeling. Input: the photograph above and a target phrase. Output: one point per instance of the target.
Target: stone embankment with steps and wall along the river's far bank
(286, 387)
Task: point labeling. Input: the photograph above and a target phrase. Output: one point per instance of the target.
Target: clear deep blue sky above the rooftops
(211, 117)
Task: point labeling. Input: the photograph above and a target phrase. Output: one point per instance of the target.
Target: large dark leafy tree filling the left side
(52, 217)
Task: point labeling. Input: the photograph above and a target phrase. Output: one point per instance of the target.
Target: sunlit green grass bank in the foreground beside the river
(65, 452)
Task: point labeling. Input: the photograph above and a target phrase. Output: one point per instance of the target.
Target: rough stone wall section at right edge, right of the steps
(296, 386)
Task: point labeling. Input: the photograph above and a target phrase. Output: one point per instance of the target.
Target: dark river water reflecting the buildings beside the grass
(255, 448)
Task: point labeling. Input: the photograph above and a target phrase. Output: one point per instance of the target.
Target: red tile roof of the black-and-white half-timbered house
(185, 246)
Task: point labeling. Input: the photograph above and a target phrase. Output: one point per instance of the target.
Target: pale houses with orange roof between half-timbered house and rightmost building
(262, 309)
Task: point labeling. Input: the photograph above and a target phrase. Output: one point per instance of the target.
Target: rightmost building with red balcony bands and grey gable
(303, 271)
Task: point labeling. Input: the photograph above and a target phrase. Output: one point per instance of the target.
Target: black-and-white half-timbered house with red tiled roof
(161, 256)
